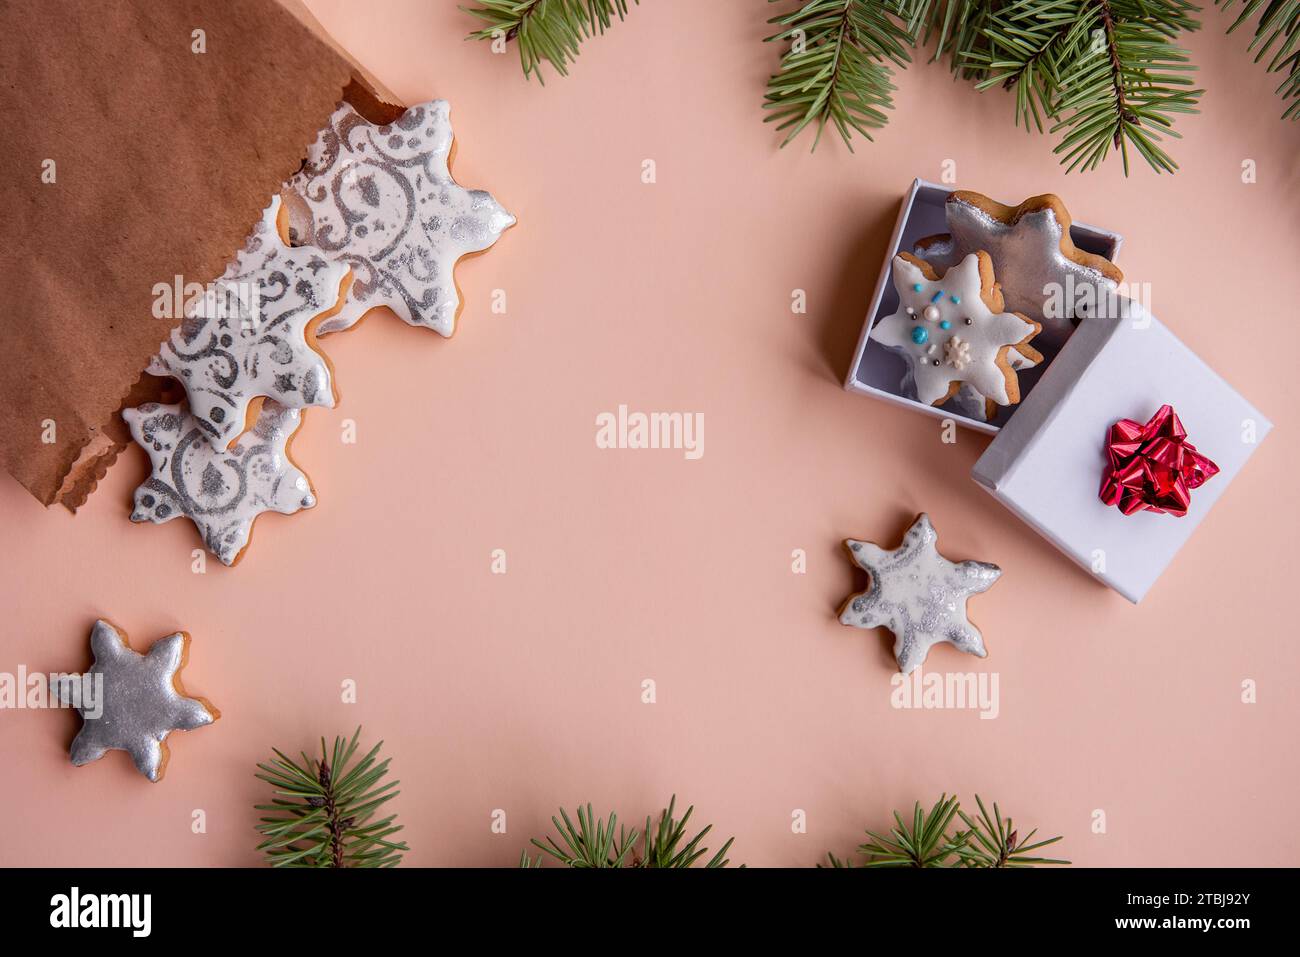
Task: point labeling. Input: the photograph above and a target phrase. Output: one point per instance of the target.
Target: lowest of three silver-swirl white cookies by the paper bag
(222, 491)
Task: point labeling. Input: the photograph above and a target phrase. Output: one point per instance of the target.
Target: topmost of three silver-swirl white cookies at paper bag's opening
(383, 201)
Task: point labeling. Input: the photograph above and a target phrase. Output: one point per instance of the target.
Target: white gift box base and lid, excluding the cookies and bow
(1048, 454)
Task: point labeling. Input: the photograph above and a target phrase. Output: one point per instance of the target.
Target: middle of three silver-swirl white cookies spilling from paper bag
(250, 336)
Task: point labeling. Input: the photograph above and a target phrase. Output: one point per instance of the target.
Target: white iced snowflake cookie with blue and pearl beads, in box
(954, 331)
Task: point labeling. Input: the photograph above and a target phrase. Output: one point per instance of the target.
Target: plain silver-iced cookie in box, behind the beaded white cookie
(1043, 274)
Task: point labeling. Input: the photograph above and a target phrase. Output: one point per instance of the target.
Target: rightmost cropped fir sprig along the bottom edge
(924, 842)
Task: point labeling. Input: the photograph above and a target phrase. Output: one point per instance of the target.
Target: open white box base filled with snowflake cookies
(976, 300)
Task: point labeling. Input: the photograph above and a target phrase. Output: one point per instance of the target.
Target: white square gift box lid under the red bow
(1047, 462)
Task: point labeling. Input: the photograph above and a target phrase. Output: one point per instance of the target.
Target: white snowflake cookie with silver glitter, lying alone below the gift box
(918, 595)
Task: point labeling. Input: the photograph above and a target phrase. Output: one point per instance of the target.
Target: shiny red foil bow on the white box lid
(1154, 466)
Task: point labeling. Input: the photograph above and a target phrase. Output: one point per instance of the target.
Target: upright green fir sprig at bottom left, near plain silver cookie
(323, 815)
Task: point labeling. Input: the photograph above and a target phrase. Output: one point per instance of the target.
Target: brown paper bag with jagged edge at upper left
(142, 138)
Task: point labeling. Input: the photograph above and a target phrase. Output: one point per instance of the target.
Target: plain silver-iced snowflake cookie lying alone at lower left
(132, 701)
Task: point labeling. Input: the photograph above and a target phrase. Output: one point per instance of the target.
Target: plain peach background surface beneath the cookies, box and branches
(522, 691)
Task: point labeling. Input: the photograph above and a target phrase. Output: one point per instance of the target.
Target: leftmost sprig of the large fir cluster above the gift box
(835, 71)
